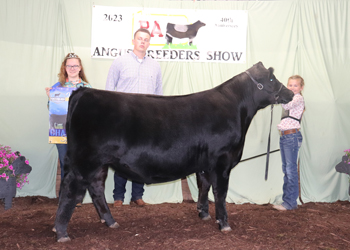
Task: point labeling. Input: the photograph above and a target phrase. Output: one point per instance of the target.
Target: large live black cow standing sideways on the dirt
(153, 139)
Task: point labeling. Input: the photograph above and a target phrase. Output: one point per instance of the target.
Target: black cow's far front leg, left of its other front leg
(203, 189)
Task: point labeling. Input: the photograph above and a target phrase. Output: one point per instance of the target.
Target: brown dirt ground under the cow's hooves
(27, 225)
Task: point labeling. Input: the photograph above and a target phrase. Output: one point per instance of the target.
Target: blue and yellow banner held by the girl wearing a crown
(58, 114)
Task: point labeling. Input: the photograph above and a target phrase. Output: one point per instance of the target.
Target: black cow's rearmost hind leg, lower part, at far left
(71, 187)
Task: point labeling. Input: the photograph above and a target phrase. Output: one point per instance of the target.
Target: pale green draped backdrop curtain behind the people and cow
(309, 38)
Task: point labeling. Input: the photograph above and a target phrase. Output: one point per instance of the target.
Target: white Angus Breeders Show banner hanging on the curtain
(176, 35)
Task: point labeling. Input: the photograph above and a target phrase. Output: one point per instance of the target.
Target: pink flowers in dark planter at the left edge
(14, 170)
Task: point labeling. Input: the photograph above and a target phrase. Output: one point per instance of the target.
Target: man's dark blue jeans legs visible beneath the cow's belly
(119, 189)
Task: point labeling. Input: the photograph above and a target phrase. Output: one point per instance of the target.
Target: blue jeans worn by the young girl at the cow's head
(289, 146)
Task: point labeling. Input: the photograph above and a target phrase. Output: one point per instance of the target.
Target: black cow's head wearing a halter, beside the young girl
(268, 90)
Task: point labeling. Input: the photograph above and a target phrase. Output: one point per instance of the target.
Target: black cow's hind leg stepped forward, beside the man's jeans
(96, 190)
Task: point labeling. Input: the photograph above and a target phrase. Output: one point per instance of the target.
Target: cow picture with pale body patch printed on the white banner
(182, 31)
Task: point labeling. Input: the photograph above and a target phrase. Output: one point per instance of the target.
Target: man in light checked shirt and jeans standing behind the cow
(134, 72)
